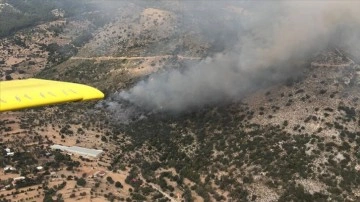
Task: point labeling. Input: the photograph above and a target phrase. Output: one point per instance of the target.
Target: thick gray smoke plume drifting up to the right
(272, 38)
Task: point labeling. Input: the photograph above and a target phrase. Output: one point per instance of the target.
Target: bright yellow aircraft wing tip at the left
(20, 94)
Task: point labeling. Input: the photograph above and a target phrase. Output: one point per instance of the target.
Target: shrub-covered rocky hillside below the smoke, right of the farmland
(289, 142)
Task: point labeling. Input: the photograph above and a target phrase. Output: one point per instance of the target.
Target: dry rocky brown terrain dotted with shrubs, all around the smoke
(296, 140)
